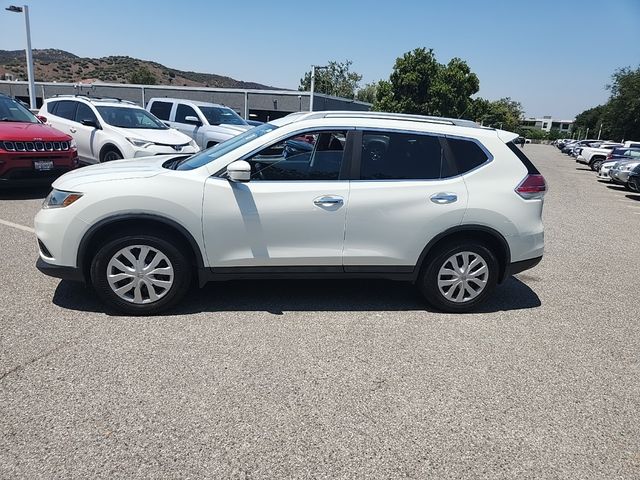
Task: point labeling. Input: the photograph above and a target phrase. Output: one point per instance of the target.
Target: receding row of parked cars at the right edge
(615, 162)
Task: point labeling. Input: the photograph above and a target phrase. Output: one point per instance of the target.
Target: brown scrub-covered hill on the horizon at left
(53, 65)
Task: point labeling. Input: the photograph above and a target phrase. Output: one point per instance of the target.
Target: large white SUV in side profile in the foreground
(446, 204)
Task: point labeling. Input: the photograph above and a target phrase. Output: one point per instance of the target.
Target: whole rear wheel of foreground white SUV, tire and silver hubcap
(459, 277)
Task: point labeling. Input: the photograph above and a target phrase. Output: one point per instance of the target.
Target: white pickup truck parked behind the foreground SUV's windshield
(207, 123)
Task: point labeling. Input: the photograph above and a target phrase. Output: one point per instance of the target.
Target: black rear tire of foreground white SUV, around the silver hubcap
(428, 280)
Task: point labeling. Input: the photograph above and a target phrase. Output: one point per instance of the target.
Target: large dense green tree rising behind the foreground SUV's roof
(419, 84)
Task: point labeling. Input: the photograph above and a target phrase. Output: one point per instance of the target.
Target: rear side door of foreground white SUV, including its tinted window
(400, 201)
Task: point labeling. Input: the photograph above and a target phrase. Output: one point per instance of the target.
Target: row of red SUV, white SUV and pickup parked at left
(72, 129)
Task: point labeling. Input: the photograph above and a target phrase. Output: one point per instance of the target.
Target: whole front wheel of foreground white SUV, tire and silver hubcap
(140, 274)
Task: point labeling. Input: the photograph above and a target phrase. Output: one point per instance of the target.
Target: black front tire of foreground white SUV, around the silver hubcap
(179, 262)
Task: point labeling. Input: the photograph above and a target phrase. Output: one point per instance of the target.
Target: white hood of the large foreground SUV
(118, 170)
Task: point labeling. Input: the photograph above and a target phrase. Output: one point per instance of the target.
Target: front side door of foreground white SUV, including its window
(291, 213)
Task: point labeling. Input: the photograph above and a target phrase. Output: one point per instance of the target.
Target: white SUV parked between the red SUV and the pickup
(111, 129)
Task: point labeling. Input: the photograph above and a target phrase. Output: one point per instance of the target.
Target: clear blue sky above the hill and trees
(555, 57)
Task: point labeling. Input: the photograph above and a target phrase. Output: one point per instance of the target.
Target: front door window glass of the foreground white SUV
(311, 156)
